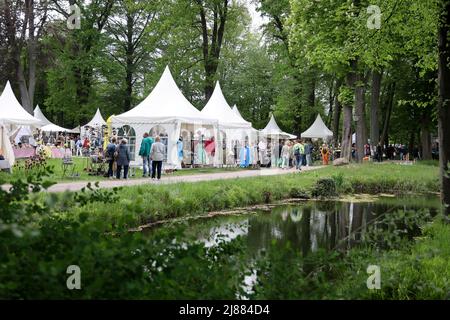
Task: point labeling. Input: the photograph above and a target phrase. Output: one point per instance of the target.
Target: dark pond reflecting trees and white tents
(306, 228)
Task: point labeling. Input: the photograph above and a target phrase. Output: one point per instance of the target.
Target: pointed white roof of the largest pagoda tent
(165, 104)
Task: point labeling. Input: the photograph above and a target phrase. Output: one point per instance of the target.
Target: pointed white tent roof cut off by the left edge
(11, 112)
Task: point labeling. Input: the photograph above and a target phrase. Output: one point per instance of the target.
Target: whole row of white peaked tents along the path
(167, 111)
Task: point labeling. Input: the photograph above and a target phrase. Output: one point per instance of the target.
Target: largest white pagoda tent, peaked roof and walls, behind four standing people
(165, 112)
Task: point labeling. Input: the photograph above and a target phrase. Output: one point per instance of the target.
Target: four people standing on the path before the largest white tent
(118, 157)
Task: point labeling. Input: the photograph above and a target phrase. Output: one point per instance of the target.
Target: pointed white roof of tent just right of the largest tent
(218, 108)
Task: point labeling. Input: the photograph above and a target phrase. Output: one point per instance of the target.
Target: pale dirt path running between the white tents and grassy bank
(78, 185)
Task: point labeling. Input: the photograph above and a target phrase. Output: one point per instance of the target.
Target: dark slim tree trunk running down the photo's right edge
(444, 106)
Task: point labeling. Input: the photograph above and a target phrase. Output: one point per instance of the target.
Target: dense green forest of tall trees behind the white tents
(368, 67)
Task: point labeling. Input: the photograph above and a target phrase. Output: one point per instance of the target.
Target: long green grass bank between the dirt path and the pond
(150, 203)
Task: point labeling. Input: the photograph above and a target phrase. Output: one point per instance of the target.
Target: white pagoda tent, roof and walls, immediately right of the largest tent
(233, 129)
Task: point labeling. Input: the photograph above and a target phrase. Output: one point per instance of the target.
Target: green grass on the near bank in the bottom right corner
(418, 271)
